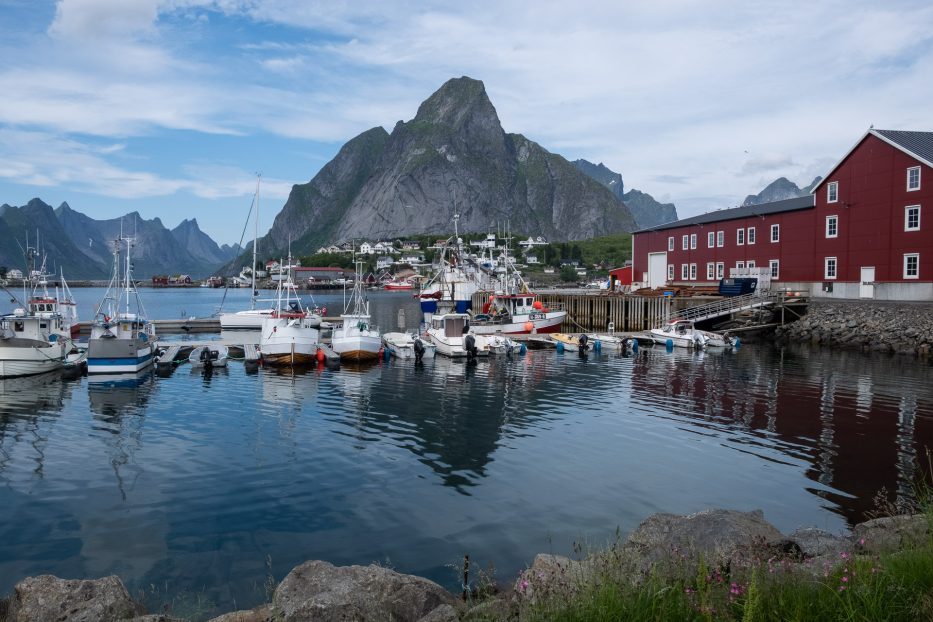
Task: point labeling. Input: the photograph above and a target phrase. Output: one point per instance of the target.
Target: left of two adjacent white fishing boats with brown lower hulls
(289, 336)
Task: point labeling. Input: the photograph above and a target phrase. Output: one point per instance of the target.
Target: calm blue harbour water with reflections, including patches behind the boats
(209, 484)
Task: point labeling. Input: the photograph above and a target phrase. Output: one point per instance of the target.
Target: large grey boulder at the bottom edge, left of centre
(320, 591)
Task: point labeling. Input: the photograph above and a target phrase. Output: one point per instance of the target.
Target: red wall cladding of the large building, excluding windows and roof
(872, 183)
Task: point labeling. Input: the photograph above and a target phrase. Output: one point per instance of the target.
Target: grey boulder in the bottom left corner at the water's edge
(49, 598)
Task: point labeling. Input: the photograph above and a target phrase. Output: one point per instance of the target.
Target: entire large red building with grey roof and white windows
(861, 234)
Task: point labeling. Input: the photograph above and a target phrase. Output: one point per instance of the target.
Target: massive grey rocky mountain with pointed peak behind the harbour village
(452, 158)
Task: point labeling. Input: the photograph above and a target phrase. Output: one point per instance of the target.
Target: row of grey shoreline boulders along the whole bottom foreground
(317, 590)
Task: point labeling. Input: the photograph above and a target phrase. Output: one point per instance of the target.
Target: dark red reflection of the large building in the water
(855, 426)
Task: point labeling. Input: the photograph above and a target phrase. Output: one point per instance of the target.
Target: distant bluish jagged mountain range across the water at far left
(82, 246)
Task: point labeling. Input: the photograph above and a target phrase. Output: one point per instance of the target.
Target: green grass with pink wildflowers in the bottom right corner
(767, 585)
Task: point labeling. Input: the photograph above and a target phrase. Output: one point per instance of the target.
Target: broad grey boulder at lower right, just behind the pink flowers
(719, 537)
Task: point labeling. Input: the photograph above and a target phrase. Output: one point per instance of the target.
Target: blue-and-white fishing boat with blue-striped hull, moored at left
(122, 338)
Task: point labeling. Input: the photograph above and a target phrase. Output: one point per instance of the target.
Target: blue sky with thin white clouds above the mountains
(172, 107)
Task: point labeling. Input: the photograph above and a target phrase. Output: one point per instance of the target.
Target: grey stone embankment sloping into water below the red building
(867, 326)
